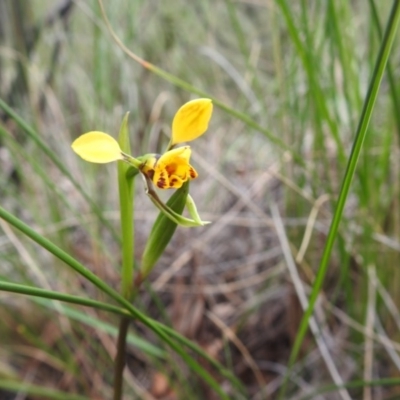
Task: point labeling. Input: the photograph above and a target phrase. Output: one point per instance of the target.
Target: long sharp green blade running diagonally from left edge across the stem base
(157, 328)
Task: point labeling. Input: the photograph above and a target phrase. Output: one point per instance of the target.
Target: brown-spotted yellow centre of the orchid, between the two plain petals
(169, 170)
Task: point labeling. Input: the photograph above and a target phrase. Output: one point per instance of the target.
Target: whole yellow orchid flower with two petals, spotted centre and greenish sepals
(166, 171)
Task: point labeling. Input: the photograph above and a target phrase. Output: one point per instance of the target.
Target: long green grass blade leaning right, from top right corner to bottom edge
(369, 103)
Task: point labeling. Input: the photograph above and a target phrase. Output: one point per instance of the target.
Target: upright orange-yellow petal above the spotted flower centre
(191, 120)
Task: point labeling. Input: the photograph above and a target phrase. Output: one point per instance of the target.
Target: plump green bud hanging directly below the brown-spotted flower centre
(163, 230)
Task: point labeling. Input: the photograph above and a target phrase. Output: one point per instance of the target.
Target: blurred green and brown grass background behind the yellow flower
(299, 71)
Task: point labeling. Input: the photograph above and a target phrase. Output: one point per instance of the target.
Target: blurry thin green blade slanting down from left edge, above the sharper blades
(58, 163)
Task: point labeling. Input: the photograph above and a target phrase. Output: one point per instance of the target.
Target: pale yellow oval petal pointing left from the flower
(97, 147)
